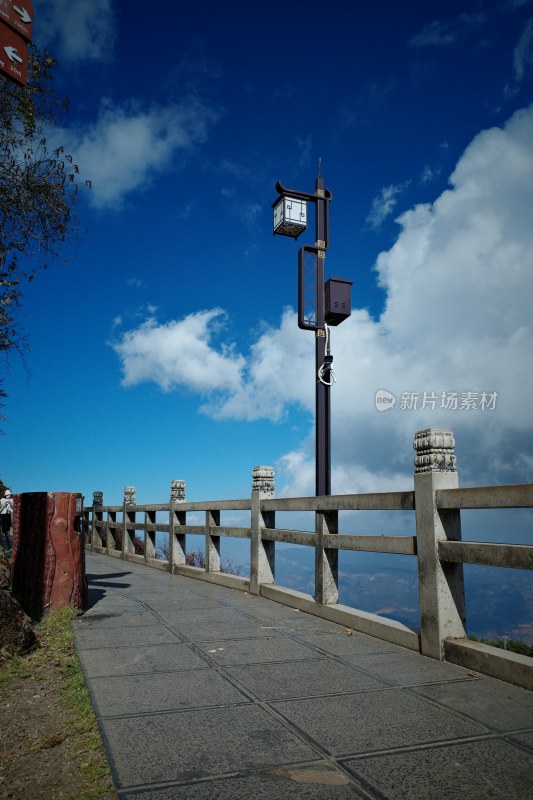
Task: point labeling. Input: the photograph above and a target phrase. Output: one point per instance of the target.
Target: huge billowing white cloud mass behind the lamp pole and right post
(456, 323)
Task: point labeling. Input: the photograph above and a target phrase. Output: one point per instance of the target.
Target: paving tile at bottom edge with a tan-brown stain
(315, 782)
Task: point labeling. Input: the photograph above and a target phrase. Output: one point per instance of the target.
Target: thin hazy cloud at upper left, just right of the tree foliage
(128, 145)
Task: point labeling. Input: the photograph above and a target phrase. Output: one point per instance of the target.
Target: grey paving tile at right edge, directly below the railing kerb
(491, 702)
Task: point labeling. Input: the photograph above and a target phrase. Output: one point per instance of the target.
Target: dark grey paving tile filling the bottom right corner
(482, 770)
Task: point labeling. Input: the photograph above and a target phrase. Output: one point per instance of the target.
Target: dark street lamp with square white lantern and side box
(319, 305)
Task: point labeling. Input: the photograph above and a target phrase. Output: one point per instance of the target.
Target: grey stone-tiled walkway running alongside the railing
(207, 693)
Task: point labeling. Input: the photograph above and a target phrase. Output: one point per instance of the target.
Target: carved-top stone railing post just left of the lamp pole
(262, 553)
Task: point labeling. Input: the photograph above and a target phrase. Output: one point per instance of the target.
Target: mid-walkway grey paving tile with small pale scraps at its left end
(252, 651)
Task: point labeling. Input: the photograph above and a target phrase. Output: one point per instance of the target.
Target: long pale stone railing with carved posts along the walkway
(440, 551)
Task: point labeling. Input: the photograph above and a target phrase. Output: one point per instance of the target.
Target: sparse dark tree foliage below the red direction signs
(38, 188)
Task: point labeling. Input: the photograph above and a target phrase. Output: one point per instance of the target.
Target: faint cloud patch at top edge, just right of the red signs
(82, 31)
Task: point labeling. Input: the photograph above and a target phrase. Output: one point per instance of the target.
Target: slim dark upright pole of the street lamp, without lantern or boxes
(322, 394)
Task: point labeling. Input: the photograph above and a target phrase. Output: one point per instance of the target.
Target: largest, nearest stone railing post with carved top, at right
(441, 586)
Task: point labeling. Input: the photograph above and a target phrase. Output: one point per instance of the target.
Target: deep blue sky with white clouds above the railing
(167, 347)
